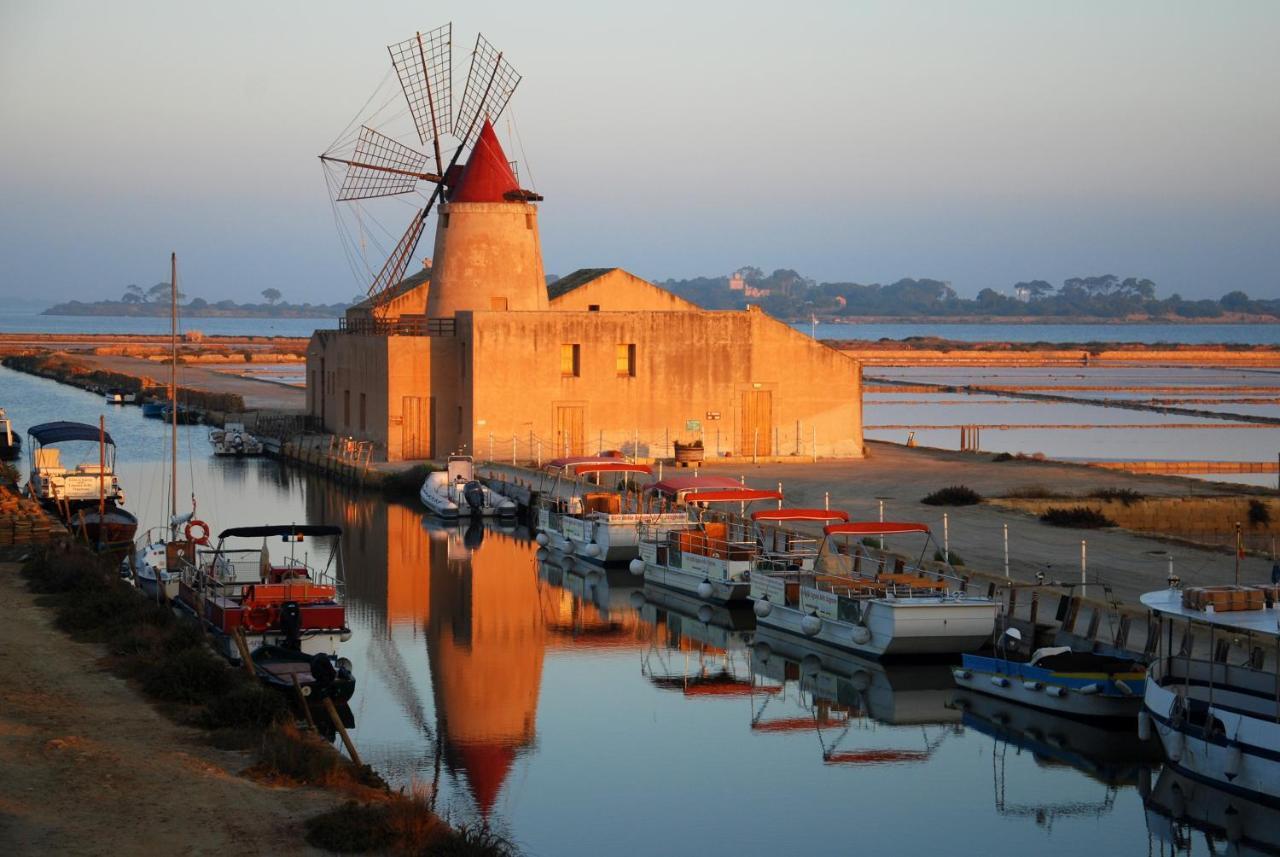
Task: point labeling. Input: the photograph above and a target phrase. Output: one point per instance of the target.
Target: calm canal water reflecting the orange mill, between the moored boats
(580, 714)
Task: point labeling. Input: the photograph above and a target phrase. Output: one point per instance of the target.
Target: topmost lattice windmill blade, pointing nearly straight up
(426, 68)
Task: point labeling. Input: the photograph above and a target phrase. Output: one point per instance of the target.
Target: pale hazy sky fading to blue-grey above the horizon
(980, 143)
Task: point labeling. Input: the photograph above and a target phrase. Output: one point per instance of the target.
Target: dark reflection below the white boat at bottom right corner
(1178, 808)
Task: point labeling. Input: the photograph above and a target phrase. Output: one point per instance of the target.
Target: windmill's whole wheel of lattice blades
(374, 164)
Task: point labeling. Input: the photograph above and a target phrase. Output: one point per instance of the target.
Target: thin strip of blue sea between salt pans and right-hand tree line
(1027, 333)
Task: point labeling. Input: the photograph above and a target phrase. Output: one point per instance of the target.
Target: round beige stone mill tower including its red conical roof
(487, 250)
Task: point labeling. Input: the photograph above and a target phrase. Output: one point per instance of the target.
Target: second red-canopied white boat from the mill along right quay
(711, 554)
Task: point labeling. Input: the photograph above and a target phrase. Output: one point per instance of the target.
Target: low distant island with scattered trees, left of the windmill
(154, 303)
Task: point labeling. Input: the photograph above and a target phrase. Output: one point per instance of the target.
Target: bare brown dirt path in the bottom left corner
(89, 768)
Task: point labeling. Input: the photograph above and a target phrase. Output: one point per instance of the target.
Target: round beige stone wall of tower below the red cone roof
(487, 258)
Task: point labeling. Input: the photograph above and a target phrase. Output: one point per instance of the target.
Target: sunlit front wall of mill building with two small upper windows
(689, 366)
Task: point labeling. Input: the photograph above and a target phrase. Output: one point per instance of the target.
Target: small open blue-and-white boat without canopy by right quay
(1055, 679)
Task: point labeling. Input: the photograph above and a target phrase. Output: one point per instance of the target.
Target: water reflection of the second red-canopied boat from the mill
(696, 649)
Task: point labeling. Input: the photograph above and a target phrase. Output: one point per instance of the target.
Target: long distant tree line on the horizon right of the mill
(794, 297)
